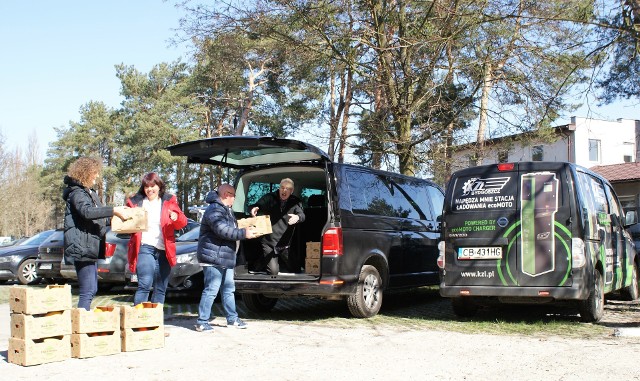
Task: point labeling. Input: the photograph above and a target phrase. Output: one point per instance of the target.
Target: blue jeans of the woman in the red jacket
(153, 270)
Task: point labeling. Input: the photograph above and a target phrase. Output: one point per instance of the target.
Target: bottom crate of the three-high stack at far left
(39, 351)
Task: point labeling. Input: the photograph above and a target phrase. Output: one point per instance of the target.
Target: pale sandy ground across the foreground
(270, 350)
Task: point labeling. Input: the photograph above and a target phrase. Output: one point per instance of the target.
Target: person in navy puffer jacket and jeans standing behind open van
(217, 249)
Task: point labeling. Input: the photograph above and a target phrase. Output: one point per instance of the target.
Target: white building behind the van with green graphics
(586, 142)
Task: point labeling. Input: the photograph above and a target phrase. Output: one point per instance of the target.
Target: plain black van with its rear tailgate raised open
(377, 229)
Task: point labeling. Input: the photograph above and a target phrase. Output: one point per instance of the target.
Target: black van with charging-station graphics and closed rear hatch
(535, 232)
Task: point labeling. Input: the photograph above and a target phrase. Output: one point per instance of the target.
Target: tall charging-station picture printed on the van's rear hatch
(539, 197)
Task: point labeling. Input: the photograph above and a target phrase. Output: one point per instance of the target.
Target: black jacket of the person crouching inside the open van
(282, 231)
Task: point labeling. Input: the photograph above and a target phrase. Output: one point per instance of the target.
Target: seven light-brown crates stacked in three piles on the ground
(44, 327)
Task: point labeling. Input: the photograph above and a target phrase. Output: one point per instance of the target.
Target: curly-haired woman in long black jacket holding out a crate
(85, 225)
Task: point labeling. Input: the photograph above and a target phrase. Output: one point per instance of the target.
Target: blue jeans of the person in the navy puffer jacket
(214, 277)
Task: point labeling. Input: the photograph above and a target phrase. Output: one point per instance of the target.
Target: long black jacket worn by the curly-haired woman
(85, 223)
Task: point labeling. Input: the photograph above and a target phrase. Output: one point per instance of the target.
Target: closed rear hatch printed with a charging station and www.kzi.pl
(508, 225)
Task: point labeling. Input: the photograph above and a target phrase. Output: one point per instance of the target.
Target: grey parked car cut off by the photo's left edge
(18, 261)
